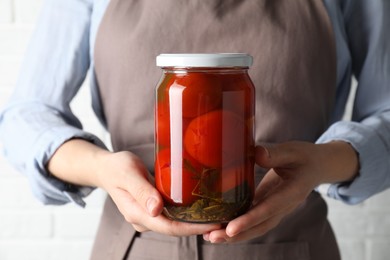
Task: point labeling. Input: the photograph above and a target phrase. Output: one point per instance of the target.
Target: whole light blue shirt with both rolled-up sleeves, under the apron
(38, 119)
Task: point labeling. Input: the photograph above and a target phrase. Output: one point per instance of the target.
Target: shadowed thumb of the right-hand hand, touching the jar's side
(275, 155)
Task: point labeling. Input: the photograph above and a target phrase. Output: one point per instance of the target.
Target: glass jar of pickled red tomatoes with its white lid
(204, 141)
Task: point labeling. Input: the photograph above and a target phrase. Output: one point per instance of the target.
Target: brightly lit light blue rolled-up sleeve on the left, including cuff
(38, 119)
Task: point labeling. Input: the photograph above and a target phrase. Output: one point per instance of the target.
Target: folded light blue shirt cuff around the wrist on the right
(373, 174)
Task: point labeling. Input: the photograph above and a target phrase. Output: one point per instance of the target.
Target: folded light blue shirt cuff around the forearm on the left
(46, 187)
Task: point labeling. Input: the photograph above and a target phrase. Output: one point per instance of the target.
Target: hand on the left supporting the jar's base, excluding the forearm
(130, 185)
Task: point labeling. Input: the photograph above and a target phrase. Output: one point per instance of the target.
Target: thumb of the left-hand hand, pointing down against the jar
(144, 192)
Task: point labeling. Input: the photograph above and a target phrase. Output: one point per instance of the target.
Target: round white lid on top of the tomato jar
(204, 60)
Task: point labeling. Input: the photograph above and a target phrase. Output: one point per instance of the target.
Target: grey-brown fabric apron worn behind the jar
(294, 73)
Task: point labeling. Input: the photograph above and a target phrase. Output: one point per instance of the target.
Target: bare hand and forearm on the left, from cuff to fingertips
(125, 178)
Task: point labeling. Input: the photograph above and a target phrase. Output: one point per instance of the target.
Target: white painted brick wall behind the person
(29, 230)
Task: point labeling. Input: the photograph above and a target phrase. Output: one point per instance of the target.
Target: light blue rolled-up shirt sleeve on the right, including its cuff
(367, 26)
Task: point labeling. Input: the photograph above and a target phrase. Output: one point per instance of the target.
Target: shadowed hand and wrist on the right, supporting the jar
(296, 168)
